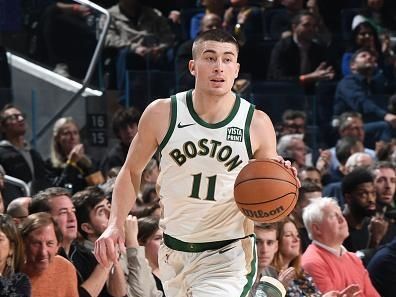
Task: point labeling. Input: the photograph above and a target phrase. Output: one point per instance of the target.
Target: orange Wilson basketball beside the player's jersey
(265, 191)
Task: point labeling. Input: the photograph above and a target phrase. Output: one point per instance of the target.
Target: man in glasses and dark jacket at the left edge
(16, 156)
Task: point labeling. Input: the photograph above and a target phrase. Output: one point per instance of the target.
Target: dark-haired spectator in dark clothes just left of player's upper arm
(125, 125)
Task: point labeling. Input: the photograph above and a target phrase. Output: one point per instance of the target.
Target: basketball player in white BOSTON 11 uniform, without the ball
(205, 137)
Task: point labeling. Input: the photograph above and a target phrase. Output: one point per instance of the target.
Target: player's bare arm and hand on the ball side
(263, 140)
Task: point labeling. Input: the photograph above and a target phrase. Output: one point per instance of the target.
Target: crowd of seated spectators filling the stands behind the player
(327, 246)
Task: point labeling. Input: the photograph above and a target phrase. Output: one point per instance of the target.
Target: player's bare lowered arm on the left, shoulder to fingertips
(151, 129)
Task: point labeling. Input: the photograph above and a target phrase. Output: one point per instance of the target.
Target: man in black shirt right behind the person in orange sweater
(57, 202)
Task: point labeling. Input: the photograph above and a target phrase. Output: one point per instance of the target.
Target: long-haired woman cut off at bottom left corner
(12, 281)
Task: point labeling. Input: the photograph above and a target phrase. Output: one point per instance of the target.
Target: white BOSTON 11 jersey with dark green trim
(199, 165)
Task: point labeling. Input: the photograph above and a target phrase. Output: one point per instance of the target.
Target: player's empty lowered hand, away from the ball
(108, 245)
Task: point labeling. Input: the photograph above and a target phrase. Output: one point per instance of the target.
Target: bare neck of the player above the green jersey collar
(213, 109)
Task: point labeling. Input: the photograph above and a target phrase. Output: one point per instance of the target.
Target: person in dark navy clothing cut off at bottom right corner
(382, 268)
